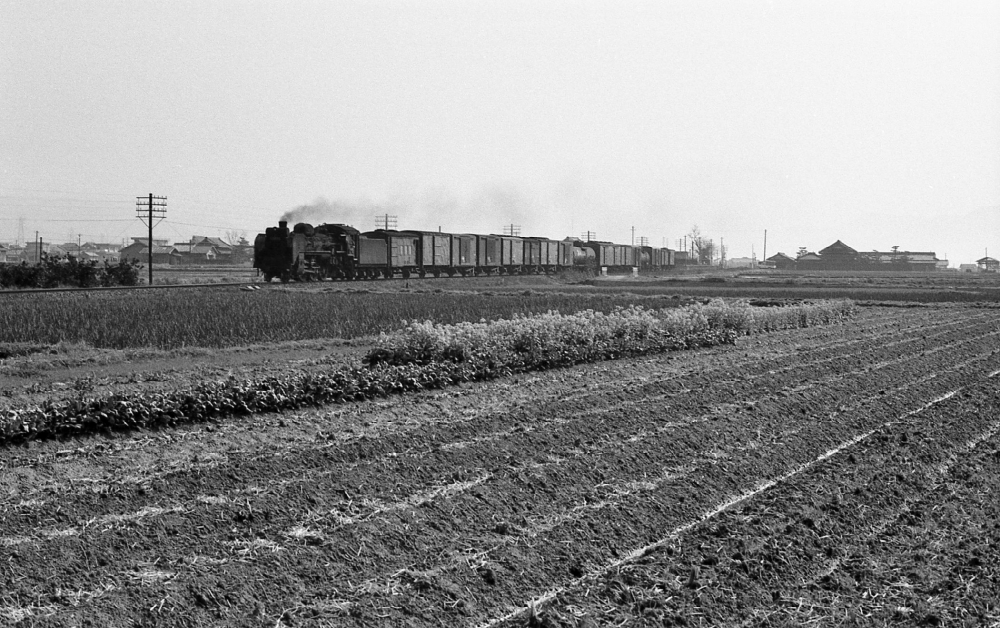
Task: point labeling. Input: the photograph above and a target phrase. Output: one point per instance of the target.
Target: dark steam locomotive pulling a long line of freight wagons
(334, 251)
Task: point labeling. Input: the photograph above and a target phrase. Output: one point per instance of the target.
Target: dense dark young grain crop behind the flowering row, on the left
(225, 318)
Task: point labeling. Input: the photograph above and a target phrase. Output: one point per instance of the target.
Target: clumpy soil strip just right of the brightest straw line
(747, 572)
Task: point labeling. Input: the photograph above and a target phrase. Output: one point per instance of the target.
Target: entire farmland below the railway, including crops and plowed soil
(744, 451)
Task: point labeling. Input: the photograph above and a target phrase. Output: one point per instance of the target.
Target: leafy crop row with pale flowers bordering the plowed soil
(599, 337)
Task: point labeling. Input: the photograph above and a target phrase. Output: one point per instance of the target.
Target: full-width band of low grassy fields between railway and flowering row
(225, 317)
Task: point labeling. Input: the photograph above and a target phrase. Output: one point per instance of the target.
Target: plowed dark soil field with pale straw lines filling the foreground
(842, 475)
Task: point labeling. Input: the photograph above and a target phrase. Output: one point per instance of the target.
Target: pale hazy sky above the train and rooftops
(877, 123)
